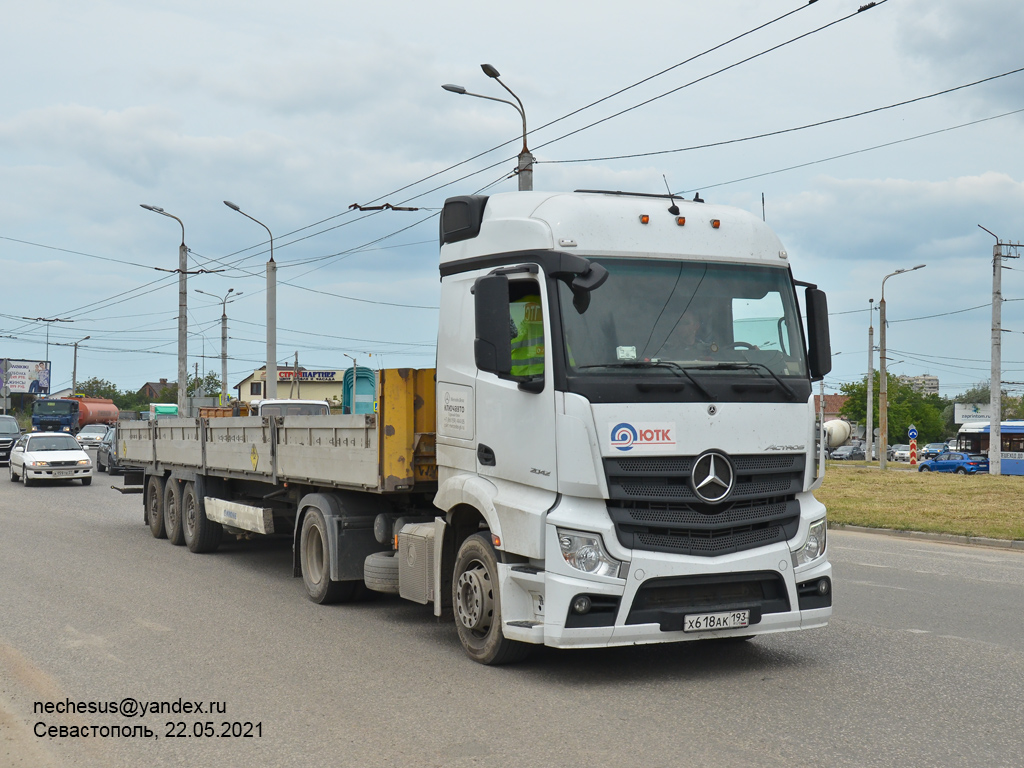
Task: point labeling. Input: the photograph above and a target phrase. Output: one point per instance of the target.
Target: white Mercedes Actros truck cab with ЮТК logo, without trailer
(628, 447)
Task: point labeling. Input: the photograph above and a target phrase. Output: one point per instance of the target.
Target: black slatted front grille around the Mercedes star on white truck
(654, 506)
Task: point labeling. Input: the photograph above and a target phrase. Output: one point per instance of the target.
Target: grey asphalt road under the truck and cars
(923, 664)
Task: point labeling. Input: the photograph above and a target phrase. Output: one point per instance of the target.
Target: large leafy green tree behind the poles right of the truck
(907, 407)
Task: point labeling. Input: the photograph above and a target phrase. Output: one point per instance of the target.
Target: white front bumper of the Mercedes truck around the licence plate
(648, 606)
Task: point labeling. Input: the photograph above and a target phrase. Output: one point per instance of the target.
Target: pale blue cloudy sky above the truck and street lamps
(295, 112)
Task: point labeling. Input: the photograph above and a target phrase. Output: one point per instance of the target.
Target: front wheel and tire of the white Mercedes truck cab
(477, 605)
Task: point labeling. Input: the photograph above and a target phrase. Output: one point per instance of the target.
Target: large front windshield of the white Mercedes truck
(694, 315)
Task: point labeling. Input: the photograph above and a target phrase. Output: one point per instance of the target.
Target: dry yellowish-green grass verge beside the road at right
(938, 503)
